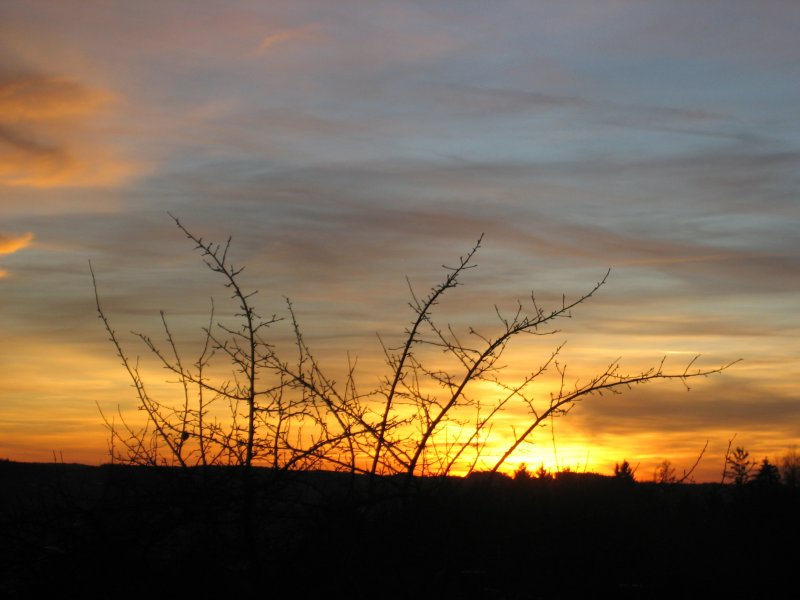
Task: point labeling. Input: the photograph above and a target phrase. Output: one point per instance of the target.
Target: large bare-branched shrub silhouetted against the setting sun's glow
(429, 415)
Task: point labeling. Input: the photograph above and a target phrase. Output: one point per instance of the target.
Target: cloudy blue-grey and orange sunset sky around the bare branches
(346, 146)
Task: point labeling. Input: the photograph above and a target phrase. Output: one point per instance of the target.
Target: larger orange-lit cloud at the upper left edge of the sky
(46, 137)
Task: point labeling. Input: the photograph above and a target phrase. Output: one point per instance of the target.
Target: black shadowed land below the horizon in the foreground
(157, 533)
